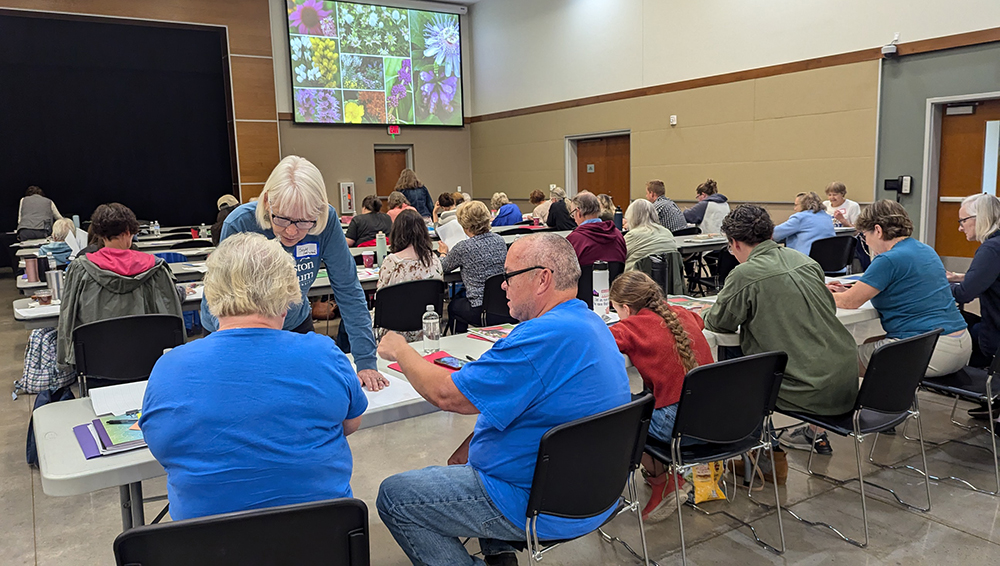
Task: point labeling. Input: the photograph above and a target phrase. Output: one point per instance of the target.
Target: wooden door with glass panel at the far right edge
(963, 144)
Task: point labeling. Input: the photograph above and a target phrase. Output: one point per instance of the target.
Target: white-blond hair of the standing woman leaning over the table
(295, 188)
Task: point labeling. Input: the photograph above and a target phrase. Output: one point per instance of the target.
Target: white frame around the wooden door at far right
(932, 158)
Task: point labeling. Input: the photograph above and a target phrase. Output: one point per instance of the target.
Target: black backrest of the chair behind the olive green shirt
(894, 372)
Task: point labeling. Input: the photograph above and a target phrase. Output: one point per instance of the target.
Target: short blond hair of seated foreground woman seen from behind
(251, 275)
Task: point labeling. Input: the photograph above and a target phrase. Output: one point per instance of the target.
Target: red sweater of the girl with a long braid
(647, 341)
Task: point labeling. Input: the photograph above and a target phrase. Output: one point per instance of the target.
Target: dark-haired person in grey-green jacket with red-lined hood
(114, 280)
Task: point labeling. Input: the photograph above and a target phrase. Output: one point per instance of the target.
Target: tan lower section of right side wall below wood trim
(762, 140)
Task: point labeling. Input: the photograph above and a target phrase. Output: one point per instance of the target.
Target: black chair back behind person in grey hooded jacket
(127, 347)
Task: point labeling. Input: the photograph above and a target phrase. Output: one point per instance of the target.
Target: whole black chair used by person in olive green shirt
(887, 398)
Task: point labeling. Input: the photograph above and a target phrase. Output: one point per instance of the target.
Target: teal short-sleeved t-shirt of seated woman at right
(914, 295)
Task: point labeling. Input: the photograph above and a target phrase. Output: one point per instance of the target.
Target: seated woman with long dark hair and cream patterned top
(411, 259)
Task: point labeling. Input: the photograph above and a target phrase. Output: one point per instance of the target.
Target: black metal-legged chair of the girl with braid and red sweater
(726, 425)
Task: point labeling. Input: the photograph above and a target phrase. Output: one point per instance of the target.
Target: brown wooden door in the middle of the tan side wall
(603, 167)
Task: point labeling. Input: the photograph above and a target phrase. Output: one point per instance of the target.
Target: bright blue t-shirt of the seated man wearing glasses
(559, 367)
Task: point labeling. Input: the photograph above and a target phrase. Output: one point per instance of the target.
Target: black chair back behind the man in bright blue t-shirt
(598, 452)
